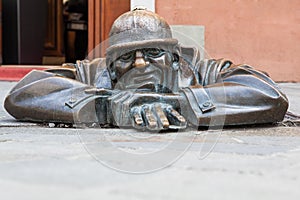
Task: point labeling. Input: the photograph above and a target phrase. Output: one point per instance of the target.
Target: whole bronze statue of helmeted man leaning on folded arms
(148, 81)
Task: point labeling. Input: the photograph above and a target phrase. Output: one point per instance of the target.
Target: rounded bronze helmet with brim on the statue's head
(139, 28)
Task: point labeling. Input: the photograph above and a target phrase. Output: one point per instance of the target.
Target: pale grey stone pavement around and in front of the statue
(38, 162)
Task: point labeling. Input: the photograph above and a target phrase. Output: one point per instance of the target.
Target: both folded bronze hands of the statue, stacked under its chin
(145, 111)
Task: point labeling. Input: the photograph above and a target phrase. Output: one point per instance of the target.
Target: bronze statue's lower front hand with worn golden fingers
(157, 116)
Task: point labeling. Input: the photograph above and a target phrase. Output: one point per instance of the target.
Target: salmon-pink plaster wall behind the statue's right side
(262, 33)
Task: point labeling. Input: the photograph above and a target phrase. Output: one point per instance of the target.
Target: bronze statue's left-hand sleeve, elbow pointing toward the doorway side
(47, 97)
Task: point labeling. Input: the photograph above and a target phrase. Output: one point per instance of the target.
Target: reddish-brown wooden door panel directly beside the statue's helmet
(102, 14)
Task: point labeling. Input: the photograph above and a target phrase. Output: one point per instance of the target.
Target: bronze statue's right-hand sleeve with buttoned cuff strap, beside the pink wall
(229, 94)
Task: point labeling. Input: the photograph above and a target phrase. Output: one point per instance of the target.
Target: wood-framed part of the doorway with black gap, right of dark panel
(93, 19)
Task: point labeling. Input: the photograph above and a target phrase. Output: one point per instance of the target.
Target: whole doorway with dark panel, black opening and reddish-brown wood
(54, 31)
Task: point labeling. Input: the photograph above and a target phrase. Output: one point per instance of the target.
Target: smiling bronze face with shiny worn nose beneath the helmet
(147, 68)
